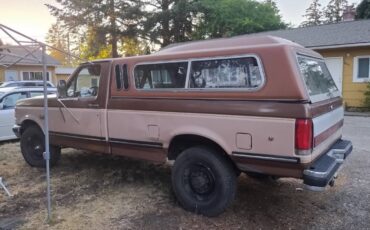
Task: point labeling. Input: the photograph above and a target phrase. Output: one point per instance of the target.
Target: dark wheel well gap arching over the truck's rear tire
(180, 143)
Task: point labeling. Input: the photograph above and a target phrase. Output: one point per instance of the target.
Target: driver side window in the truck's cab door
(86, 82)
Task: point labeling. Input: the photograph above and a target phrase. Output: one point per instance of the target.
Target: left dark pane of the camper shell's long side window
(161, 76)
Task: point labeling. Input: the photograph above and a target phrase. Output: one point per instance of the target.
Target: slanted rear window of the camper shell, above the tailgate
(319, 83)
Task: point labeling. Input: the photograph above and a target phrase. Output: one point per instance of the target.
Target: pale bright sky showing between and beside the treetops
(32, 17)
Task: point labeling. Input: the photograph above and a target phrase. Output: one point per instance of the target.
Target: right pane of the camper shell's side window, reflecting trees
(226, 73)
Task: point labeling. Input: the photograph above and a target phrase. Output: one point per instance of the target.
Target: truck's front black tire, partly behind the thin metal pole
(33, 147)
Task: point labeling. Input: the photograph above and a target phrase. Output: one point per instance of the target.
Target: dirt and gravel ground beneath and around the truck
(102, 192)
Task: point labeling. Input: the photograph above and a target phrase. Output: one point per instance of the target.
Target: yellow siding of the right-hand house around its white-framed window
(353, 92)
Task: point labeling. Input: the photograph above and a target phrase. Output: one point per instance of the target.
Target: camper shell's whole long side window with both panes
(243, 73)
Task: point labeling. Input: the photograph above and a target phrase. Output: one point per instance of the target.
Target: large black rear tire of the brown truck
(204, 181)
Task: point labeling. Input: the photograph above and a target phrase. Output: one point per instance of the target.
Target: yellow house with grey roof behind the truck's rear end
(346, 49)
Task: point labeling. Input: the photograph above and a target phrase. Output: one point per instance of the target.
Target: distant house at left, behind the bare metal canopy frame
(13, 68)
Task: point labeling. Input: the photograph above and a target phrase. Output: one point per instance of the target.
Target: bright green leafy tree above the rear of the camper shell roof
(225, 18)
